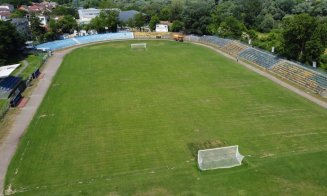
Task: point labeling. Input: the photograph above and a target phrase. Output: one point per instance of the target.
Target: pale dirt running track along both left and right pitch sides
(22, 120)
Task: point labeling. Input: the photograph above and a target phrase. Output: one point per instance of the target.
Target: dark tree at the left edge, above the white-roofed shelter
(10, 42)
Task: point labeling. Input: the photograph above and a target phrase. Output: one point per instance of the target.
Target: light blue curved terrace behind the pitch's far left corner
(61, 44)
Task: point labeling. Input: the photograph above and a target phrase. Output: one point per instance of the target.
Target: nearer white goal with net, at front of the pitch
(215, 158)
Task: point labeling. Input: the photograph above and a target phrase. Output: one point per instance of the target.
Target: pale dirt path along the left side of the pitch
(22, 120)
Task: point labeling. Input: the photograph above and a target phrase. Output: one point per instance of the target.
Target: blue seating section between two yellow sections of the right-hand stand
(261, 58)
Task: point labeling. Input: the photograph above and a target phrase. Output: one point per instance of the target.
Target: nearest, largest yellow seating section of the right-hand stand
(301, 76)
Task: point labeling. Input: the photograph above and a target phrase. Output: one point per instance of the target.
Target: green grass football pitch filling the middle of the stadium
(122, 122)
